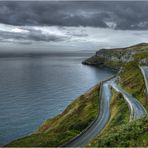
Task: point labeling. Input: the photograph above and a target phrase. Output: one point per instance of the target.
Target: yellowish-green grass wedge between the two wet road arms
(119, 115)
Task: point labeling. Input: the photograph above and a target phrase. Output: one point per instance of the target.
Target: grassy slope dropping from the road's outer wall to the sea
(76, 117)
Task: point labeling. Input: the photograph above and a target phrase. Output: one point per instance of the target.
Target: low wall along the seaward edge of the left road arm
(93, 122)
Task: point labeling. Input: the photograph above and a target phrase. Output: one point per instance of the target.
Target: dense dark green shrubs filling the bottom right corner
(132, 134)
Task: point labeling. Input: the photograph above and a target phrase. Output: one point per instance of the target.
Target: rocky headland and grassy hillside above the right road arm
(126, 60)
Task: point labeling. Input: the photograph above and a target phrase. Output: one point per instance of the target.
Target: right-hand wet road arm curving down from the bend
(137, 110)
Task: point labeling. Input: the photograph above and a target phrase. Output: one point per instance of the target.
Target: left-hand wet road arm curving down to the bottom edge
(99, 123)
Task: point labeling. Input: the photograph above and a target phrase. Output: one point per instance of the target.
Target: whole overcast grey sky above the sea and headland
(71, 25)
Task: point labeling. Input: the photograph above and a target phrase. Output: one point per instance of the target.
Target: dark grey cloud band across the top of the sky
(125, 15)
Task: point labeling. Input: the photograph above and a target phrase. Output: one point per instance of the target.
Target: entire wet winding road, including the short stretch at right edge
(136, 108)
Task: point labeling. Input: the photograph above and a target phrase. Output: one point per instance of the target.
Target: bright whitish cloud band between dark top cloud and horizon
(68, 38)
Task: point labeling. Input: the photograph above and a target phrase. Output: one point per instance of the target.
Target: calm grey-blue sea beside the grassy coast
(35, 89)
